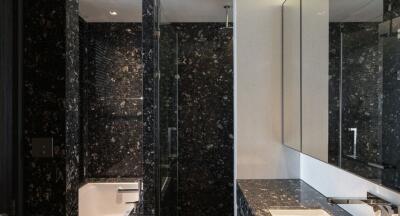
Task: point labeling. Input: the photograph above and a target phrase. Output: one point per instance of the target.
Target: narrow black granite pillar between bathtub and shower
(150, 133)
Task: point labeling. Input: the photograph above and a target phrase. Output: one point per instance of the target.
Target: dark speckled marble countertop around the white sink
(257, 197)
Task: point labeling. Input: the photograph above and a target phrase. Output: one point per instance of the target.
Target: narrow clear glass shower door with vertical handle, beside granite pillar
(168, 120)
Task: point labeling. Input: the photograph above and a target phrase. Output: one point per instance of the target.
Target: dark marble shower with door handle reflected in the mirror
(369, 99)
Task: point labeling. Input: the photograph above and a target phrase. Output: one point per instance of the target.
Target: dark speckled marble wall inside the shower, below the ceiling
(204, 94)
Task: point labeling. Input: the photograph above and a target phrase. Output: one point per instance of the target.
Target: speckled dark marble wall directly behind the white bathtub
(111, 99)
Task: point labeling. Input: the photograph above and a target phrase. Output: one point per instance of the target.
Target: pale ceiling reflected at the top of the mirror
(356, 10)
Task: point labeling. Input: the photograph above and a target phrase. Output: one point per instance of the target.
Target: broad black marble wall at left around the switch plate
(50, 99)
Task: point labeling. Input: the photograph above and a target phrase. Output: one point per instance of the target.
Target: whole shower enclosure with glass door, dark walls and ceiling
(194, 97)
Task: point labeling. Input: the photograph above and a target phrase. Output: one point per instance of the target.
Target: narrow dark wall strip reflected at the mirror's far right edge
(391, 97)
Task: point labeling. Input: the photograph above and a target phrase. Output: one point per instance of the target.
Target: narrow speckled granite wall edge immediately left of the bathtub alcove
(73, 153)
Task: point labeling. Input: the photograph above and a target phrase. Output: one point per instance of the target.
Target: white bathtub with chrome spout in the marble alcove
(107, 199)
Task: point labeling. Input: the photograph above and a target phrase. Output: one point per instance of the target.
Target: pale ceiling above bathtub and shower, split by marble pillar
(171, 10)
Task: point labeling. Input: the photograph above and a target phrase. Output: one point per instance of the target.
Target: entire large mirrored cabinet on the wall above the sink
(342, 90)
